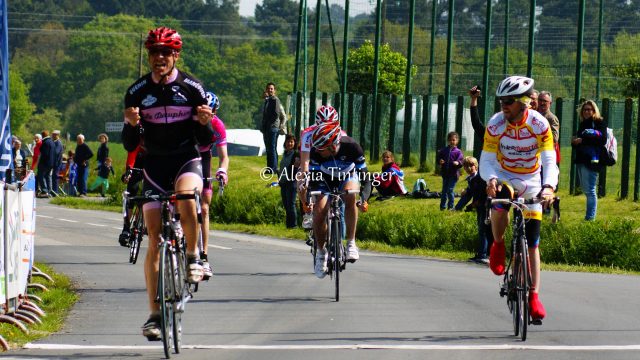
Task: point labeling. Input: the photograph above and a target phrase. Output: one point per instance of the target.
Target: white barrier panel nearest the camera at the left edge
(12, 242)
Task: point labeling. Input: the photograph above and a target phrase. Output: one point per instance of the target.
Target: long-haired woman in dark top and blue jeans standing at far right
(588, 141)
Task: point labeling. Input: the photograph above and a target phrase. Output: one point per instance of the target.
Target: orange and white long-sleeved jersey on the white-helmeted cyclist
(519, 149)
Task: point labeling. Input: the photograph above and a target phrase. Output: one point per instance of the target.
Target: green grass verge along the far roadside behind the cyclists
(416, 226)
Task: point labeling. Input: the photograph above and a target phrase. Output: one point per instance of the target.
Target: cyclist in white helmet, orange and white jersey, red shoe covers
(517, 143)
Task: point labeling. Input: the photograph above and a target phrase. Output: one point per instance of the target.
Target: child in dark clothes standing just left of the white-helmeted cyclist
(476, 191)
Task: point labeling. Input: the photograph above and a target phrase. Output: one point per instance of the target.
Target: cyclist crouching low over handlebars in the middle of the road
(336, 160)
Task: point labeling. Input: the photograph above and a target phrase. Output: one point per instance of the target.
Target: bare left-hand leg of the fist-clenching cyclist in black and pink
(151, 261)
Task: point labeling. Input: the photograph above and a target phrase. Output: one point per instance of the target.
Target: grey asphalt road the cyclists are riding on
(264, 303)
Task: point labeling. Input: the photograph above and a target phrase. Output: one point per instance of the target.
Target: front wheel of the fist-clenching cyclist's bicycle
(165, 295)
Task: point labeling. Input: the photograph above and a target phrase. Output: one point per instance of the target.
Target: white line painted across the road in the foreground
(346, 347)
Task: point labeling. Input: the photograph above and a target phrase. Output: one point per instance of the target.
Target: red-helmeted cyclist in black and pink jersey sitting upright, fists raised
(170, 108)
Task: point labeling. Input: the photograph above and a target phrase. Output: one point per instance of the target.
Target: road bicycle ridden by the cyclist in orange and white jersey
(516, 283)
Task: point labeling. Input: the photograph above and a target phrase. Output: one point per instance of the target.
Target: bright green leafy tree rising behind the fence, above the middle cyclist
(392, 68)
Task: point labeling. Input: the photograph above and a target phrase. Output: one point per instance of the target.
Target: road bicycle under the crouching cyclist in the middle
(337, 257)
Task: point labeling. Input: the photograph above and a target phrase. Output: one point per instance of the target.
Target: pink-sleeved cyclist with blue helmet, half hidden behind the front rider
(220, 142)
